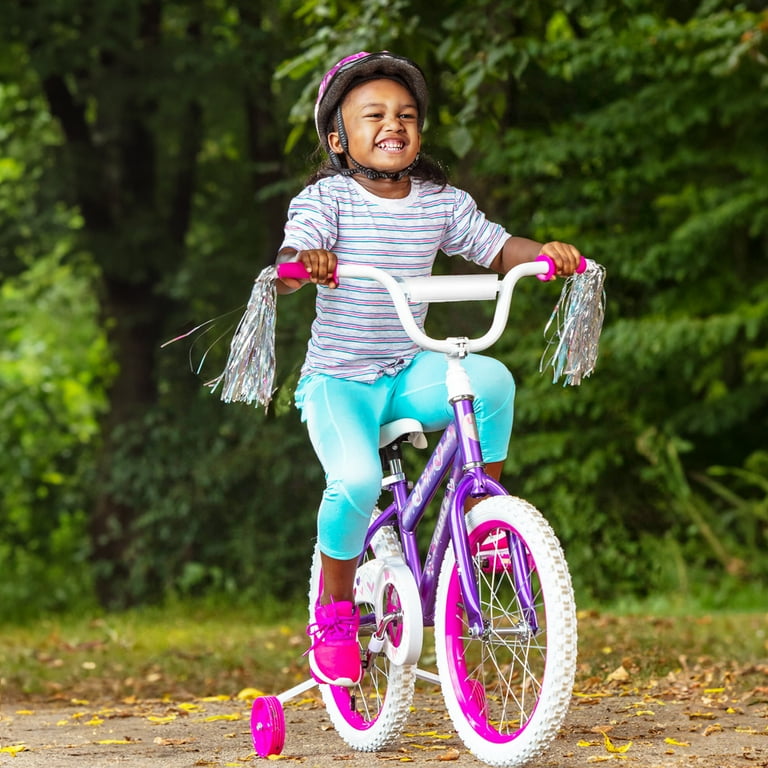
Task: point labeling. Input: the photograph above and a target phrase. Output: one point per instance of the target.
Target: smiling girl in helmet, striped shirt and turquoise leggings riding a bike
(378, 201)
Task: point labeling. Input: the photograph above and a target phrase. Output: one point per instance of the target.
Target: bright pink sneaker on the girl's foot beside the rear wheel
(334, 656)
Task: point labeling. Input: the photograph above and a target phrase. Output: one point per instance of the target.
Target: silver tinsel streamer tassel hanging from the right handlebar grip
(573, 330)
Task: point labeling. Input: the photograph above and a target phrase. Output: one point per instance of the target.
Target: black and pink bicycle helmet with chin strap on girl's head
(354, 70)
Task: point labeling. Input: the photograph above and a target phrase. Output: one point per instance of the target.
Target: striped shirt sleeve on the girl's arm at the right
(471, 235)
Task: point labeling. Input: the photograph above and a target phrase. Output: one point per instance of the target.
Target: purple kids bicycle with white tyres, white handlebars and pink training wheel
(493, 583)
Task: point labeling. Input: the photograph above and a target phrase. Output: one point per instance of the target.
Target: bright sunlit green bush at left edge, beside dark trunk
(53, 364)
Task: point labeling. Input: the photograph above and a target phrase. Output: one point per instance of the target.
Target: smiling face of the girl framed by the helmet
(381, 120)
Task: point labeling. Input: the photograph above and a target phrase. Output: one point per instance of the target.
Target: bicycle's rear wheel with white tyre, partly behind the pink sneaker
(370, 715)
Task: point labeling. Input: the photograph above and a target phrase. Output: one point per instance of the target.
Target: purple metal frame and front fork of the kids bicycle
(458, 452)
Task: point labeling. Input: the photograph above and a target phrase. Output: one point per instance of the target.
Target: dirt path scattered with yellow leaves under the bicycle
(679, 726)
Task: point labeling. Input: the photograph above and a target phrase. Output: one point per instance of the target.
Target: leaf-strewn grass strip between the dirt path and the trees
(185, 650)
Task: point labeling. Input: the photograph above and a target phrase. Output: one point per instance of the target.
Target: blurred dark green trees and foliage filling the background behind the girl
(148, 151)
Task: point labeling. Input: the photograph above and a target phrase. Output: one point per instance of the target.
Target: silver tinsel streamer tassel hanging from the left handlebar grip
(249, 373)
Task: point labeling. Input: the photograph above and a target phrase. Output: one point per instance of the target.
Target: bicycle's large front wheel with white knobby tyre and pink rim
(508, 690)
